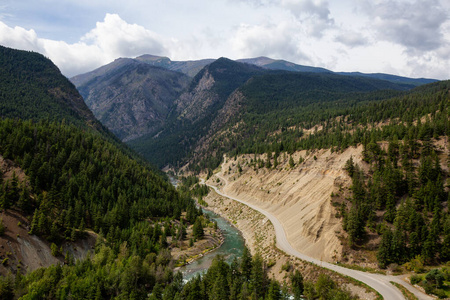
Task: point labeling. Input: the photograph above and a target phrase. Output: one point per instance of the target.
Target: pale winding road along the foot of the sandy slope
(377, 281)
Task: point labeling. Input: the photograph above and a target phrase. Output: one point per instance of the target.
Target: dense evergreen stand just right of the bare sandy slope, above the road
(406, 183)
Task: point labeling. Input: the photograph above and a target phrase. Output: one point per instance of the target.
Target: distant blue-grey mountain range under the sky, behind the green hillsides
(152, 102)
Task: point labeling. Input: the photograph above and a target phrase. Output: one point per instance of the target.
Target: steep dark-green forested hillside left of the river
(78, 178)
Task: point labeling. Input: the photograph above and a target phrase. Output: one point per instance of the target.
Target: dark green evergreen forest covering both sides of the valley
(80, 179)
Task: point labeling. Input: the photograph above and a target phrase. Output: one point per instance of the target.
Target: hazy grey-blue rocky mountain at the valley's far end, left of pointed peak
(129, 97)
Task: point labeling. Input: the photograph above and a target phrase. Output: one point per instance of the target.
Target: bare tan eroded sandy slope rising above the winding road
(299, 197)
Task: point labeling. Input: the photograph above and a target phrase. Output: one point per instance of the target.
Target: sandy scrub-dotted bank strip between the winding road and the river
(259, 234)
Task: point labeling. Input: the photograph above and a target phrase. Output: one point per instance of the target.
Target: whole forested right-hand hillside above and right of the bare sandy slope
(401, 192)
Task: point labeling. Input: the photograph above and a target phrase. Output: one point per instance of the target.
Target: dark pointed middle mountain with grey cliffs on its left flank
(271, 99)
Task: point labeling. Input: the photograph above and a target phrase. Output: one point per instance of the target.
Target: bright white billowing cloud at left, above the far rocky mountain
(110, 39)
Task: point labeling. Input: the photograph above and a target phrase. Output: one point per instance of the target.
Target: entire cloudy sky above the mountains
(403, 37)
